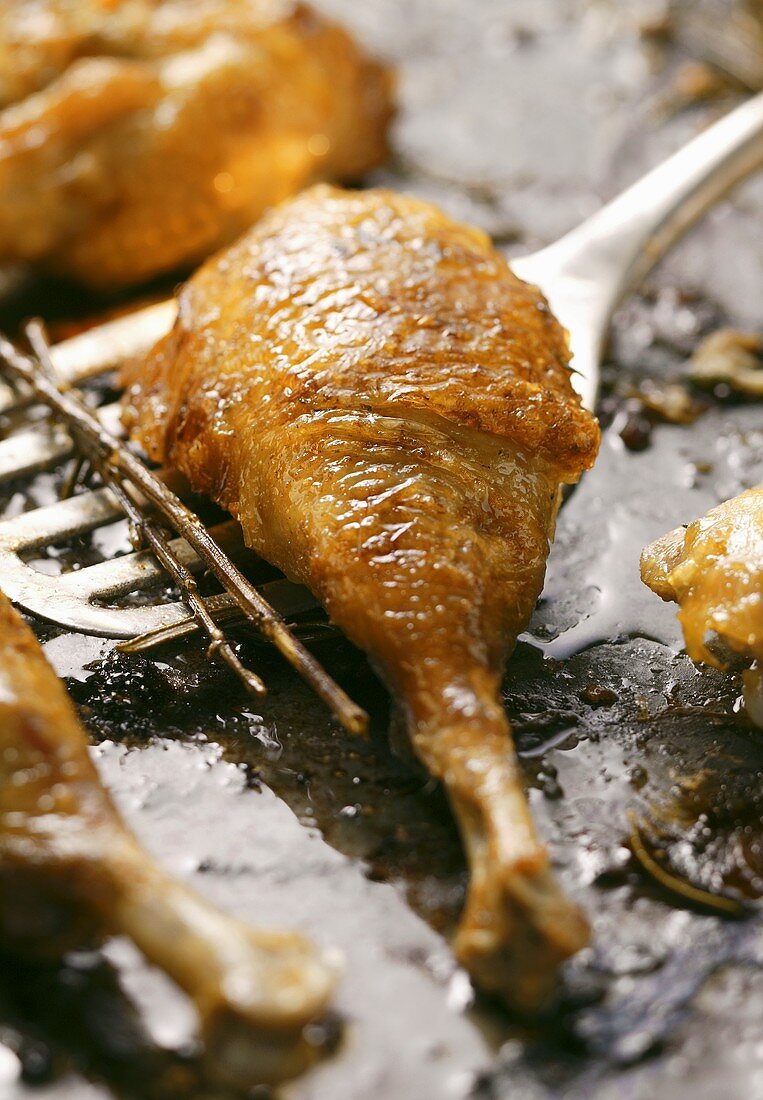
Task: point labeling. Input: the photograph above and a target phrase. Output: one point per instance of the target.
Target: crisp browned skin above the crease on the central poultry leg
(371, 301)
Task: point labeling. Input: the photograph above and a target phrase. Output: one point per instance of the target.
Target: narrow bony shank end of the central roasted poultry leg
(518, 926)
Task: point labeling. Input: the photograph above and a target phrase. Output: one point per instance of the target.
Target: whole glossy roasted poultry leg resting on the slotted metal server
(389, 412)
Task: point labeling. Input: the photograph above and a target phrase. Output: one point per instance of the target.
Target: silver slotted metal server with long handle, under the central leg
(584, 276)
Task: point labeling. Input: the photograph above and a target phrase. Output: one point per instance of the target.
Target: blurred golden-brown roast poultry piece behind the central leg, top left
(139, 136)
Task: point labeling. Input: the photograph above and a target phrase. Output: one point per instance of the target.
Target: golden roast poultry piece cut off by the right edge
(714, 570)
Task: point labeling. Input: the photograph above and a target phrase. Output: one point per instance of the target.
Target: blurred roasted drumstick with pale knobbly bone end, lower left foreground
(71, 871)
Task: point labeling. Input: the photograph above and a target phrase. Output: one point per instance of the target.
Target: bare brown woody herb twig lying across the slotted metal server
(119, 466)
